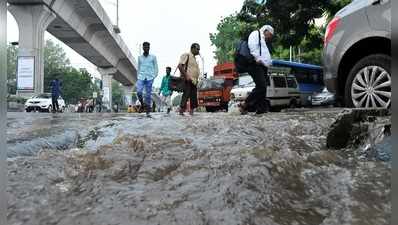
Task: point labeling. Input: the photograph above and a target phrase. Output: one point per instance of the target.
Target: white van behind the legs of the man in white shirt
(282, 89)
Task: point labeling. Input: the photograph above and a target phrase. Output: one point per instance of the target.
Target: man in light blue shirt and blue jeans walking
(147, 72)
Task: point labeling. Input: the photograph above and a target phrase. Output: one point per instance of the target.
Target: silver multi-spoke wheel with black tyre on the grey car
(369, 83)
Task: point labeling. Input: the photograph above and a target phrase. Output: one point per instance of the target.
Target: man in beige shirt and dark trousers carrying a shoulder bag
(190, 71)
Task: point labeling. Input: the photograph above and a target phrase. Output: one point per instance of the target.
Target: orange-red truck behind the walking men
(214, 93)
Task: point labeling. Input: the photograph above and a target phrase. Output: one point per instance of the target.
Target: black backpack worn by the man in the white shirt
(243, 59)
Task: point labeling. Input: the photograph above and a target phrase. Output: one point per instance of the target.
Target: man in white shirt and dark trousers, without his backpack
(259, 71)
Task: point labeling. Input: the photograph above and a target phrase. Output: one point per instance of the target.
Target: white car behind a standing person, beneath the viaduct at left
(43, 102)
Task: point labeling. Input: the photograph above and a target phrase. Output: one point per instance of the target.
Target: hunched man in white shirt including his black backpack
(253, 56)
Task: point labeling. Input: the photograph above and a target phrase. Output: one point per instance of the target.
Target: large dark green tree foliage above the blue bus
(294, 23)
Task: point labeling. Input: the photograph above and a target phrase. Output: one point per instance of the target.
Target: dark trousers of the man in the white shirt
(256, 101)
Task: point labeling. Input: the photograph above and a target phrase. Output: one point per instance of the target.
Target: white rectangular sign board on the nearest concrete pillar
(25, 73)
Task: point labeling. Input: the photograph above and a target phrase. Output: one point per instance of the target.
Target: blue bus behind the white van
(309, 77)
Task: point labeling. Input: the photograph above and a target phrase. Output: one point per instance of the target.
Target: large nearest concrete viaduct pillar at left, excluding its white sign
(33, 21)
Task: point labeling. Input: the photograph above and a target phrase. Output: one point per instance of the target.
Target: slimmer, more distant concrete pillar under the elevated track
(107, 77)
